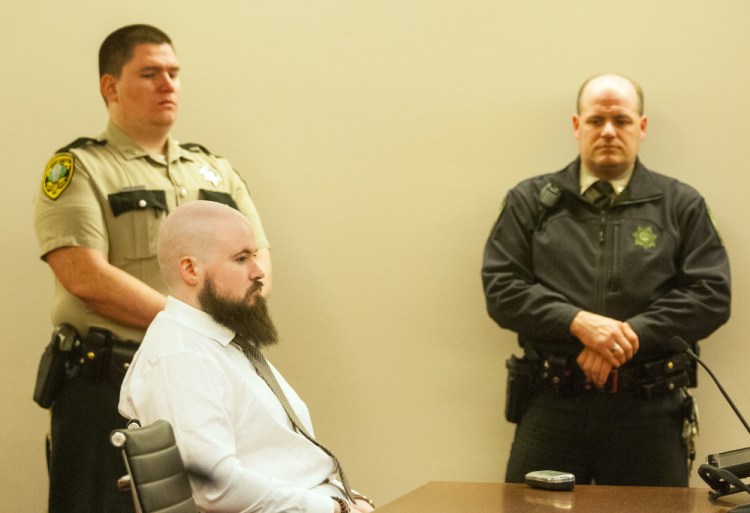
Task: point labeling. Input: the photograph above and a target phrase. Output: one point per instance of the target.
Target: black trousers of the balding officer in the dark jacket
(602, 438)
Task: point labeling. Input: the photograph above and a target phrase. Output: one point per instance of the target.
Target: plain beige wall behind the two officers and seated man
(378, 138)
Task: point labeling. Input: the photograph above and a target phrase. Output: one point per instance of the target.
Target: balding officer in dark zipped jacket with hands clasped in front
(597, 267)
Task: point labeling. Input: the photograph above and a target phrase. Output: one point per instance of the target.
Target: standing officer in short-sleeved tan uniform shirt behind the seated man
(97, 218)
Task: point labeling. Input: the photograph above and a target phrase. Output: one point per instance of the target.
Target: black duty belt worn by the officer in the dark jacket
(649, 379)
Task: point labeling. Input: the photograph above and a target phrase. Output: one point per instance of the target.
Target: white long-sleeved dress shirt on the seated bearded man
(229, 426)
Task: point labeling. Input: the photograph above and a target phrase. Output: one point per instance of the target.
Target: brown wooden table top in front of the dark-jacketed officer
(453, 497)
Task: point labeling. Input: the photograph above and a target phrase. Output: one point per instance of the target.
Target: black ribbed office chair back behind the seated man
(157, 478)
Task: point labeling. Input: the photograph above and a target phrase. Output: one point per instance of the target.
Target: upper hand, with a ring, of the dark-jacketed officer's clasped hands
(614, 341)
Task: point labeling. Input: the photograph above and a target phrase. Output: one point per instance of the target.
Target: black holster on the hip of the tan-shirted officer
(58, 363)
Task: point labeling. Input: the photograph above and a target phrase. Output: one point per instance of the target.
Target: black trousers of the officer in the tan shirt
(83, 465)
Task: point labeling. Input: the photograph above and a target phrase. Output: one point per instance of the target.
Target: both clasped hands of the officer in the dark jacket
(608, 343)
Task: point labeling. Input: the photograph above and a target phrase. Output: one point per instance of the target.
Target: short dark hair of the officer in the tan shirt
(117, 48)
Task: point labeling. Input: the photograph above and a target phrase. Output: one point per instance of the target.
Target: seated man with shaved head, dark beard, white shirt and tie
(244, 434)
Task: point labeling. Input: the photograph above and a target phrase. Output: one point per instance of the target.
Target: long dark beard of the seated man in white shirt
(251, 322)
